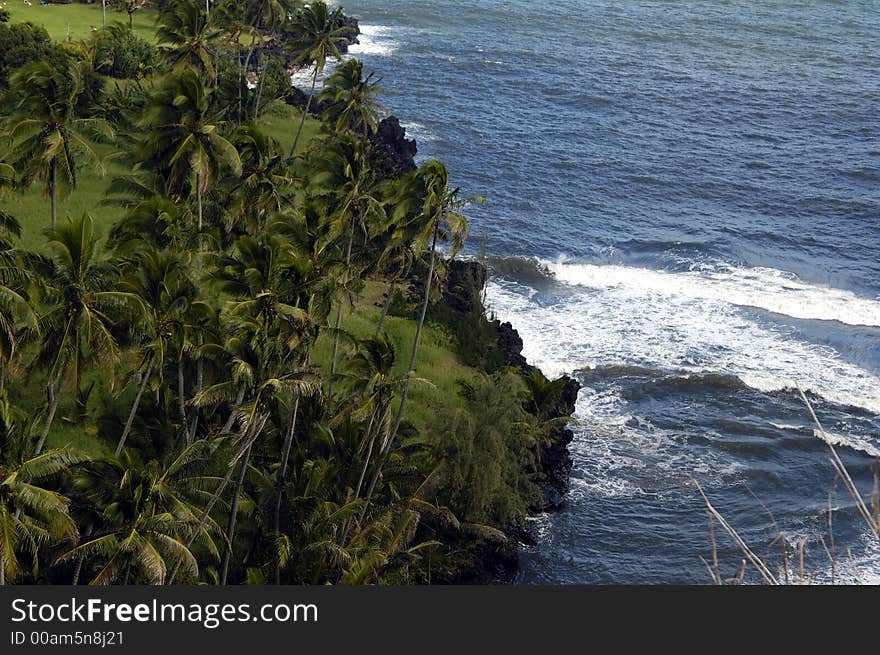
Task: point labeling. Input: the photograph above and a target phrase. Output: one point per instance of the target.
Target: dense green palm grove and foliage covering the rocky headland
(234, 428)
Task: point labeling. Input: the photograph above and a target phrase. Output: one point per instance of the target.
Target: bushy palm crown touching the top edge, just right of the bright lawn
(190, 36)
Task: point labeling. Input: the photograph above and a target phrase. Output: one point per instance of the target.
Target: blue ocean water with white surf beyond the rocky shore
(683, 212)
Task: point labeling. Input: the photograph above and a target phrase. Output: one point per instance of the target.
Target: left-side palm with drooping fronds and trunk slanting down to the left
(82, 309)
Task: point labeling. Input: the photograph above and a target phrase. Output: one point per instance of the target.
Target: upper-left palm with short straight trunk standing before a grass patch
(44, 134)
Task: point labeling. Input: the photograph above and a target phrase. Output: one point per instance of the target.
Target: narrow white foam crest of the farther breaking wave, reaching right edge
(765, 288)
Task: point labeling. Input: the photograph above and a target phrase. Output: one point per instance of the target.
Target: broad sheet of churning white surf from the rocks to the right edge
(672, 322)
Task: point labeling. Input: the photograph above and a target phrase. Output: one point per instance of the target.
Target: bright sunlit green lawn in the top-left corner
(75, 21)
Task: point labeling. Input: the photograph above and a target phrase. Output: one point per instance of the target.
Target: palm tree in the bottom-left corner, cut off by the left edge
(31, 516)
